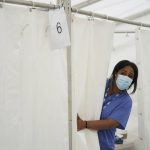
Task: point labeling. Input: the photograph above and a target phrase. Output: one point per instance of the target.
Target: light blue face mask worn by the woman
(123, 82)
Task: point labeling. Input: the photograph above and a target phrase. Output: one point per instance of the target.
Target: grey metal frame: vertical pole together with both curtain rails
(69, 10)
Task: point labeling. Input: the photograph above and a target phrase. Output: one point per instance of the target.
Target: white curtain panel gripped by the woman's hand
(91, 48)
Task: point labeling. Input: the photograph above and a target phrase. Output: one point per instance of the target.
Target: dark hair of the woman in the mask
(123, 64)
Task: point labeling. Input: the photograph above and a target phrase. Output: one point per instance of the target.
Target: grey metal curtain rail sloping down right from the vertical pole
(96, 15)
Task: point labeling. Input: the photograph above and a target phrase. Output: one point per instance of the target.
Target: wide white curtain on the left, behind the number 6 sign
(33, 84)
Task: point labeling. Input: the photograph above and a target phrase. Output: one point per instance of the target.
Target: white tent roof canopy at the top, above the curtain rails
(125, 9)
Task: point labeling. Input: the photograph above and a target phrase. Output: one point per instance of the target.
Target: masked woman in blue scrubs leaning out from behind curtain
(116, 106)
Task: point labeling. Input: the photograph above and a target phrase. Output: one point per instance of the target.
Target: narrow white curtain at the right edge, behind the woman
(143, 57)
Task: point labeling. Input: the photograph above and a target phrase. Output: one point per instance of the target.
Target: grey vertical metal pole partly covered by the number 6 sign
(67, 5)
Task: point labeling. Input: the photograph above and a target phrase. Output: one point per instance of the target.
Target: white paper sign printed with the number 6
(58, 29)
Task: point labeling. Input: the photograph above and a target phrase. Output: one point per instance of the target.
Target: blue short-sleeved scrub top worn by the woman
(117, 107)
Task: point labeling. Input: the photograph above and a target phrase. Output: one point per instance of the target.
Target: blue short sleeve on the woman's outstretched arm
(121, 113)
